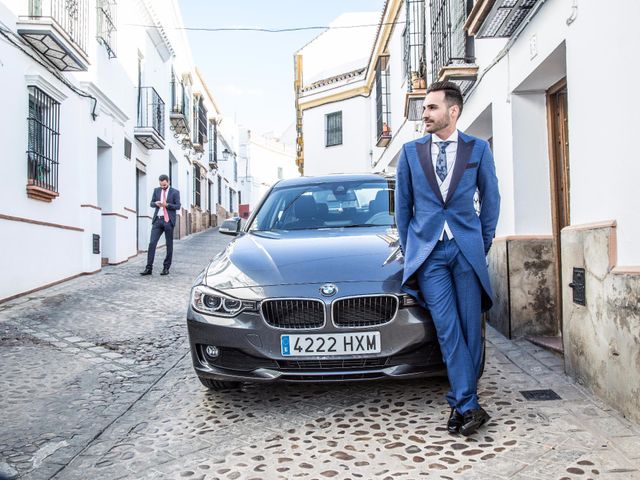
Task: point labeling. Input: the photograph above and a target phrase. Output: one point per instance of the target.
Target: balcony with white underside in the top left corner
(58, 29)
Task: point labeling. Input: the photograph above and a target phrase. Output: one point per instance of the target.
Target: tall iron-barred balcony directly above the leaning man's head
(452, 50)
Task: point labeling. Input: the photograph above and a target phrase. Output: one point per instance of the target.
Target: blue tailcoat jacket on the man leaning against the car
(421, 211)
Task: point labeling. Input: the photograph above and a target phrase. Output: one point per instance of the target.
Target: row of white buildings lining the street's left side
(92, 103)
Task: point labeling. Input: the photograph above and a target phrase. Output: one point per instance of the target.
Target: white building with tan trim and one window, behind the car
(337, 135)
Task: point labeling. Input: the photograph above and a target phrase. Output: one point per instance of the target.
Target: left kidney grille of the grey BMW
(293, 313)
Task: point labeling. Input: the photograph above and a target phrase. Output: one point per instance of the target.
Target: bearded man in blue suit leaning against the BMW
(445, 241)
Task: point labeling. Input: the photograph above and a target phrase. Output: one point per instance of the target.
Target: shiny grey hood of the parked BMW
(260, 259)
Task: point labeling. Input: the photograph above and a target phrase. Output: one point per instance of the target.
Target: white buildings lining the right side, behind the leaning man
(553, 98)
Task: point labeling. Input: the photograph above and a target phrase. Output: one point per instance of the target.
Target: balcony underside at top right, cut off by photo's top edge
(497, 18)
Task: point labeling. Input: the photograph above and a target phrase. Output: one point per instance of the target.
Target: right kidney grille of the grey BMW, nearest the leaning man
(364, 311)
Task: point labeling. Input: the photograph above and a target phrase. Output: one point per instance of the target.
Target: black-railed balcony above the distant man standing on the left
(150, 128)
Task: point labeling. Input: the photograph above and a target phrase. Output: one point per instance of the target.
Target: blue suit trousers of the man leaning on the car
(453, 293)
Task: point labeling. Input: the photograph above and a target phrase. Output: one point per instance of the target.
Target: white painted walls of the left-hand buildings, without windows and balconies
(100, 190)
